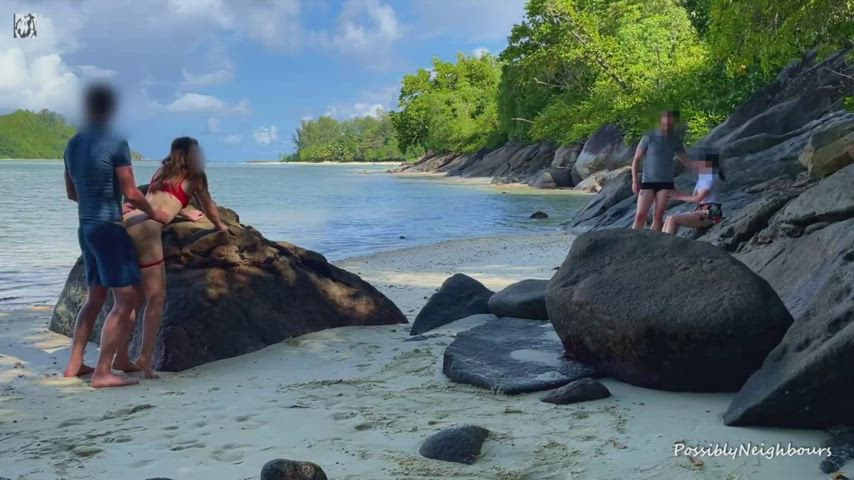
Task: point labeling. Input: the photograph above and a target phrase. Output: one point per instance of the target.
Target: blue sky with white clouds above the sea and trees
(238, 75)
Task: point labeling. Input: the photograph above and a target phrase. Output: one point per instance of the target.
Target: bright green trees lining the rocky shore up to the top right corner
(572, 66)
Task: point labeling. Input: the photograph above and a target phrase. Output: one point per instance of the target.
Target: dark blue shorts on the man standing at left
(109, 255)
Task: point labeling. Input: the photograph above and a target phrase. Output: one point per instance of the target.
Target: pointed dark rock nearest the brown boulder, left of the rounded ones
(459, 296)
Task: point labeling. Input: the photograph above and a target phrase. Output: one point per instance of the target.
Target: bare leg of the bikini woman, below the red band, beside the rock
(154, 286)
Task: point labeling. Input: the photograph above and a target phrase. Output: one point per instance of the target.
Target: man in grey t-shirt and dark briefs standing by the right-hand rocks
(657, 150)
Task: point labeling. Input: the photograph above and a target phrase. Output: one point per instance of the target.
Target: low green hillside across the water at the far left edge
(25, 134)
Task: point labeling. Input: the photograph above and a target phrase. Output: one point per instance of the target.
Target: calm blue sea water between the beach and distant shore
(340, 211)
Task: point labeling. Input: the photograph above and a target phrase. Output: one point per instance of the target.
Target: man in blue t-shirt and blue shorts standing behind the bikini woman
(97, 172)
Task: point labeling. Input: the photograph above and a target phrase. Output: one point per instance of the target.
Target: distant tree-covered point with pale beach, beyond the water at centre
(325, 139)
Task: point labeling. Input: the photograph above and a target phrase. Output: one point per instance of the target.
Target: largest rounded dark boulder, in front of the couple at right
(664, 312)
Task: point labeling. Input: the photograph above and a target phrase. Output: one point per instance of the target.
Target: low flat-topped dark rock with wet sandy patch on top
(511, 356)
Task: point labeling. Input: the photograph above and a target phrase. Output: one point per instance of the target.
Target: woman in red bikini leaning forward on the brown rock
(179, 179)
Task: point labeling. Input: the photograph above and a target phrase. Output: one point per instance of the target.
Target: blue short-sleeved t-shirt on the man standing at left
(91, 158)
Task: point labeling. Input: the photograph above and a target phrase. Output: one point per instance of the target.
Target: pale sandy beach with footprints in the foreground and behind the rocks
(357, 401)
